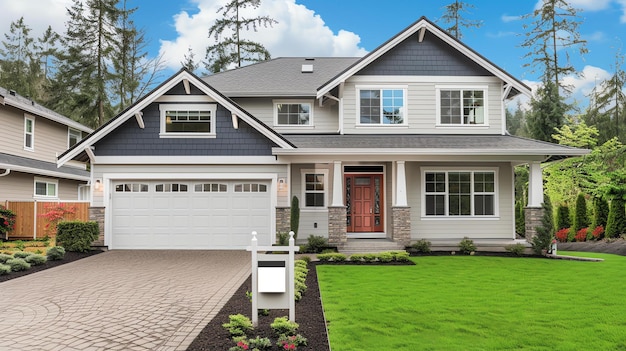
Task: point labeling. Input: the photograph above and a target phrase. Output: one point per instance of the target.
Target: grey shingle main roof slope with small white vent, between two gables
(280, 77)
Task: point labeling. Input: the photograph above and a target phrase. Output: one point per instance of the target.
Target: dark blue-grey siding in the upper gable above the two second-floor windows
(431, 57)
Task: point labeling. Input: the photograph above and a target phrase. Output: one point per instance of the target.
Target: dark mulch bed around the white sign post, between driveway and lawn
(309, 315)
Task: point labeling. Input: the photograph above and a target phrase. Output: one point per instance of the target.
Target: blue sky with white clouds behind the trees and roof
(353, 28)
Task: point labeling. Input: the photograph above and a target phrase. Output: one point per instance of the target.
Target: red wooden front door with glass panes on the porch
(364, 202)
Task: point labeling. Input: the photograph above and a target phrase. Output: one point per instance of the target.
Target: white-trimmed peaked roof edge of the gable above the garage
(164, 87)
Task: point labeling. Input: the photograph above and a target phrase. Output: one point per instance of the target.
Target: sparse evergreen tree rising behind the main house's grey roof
(235, 50)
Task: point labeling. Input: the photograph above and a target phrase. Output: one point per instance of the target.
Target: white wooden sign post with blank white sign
(273, 283)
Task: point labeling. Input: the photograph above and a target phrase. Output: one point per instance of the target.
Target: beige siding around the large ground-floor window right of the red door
(449, 228)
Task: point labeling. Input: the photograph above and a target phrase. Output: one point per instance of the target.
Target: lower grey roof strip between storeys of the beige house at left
(29, 165)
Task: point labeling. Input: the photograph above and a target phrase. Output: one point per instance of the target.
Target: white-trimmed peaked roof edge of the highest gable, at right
(424, 25)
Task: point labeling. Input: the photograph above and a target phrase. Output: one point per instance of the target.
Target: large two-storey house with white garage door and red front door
(406, 143)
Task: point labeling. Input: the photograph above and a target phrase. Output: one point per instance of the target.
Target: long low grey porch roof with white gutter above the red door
(426, 145)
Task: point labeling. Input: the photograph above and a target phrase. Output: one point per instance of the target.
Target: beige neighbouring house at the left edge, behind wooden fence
(32, 138)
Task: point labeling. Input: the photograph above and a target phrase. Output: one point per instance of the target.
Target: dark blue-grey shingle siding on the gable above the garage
(130, 140)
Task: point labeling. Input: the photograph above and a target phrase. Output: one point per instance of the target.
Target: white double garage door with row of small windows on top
(211, 214)
